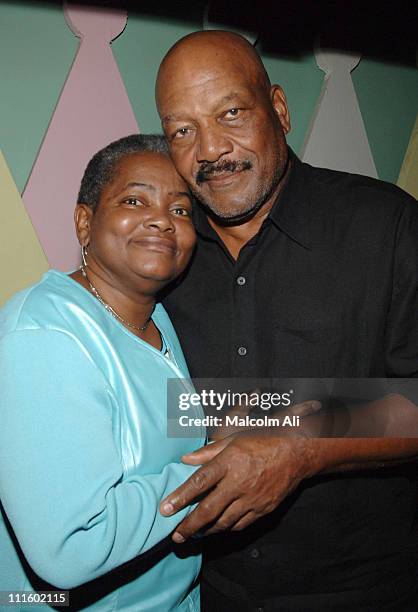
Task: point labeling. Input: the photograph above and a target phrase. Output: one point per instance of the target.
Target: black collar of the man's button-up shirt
(290, 212)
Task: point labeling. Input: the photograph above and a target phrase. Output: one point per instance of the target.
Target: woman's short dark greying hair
(100, 169)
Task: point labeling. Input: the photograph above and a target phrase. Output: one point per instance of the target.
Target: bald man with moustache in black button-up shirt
(299, 272)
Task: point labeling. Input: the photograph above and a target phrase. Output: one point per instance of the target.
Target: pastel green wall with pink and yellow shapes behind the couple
(63, 99)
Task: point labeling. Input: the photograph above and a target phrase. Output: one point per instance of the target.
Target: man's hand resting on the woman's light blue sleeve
(244, 477)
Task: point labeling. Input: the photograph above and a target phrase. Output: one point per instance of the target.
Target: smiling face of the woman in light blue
(142, 228)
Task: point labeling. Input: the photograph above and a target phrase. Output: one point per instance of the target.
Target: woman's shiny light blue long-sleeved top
(84, 454)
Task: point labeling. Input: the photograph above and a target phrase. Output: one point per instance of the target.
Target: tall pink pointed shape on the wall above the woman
(93, 109)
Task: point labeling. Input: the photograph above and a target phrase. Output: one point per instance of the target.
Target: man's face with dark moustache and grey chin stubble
(225, 133)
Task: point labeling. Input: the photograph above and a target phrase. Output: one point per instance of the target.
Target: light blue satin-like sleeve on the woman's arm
(60, 472)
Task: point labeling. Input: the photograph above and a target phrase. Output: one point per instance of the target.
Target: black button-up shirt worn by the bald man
(327, 288)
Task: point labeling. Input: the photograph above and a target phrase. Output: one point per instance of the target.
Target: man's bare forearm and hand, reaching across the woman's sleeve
(248, 475)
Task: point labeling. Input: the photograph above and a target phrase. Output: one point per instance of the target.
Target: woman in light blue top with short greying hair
(84, 361)
